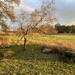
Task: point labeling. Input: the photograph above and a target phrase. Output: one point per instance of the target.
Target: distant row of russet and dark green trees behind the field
(49, 29)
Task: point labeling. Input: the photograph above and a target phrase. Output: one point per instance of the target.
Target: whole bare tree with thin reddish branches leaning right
(28, 21)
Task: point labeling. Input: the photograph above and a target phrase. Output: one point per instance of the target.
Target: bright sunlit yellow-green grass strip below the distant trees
(53, 38)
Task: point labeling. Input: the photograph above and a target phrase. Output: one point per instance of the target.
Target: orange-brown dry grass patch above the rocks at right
(59, 46)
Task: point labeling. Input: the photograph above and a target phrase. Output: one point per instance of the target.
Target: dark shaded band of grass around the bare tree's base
(33, 52)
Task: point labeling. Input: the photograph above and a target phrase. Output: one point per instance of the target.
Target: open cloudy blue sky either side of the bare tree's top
(65, 9)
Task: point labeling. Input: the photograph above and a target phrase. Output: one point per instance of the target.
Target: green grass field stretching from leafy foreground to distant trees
(33, 61)
